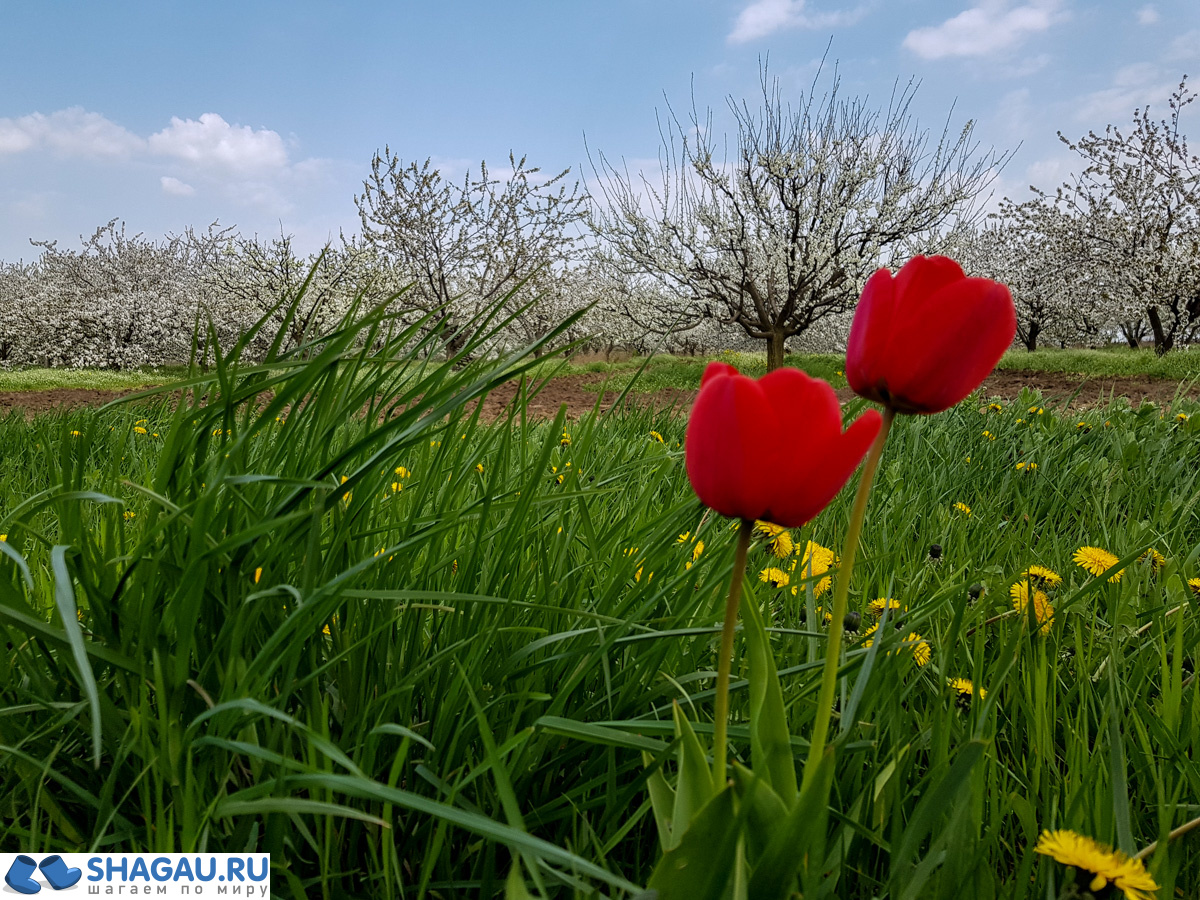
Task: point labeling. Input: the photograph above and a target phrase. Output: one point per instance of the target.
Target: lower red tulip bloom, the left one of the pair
(773, 448)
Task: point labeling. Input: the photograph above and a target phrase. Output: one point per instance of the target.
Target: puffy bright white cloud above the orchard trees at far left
(214, 143)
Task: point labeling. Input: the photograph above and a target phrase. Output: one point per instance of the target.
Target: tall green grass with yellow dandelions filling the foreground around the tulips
(400, 650)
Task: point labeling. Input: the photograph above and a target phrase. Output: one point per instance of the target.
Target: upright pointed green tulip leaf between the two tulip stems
(771, 746)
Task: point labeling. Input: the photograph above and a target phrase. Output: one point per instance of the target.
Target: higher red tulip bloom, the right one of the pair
(925, 340)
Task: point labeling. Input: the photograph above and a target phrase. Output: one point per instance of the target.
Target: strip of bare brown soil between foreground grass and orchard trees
(1055, 387)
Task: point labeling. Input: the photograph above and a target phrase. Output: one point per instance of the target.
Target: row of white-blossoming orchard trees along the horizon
(766, 249)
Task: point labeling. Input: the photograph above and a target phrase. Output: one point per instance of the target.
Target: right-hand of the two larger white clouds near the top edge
(983, 29)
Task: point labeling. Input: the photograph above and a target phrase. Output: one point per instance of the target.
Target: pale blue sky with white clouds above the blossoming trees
(266, 116)
